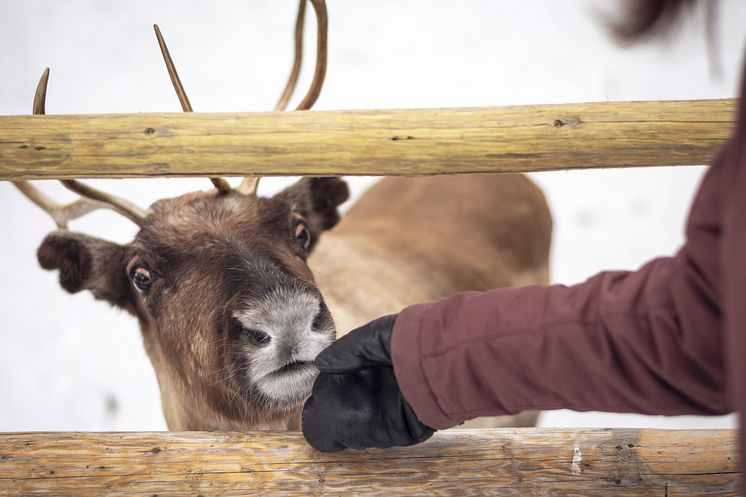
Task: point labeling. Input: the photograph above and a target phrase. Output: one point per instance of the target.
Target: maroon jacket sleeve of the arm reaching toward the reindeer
(648, 341)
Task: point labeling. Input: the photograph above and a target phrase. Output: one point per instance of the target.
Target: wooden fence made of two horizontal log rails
(398, 142)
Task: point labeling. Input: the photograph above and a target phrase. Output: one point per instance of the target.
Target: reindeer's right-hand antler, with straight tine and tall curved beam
(249, 184)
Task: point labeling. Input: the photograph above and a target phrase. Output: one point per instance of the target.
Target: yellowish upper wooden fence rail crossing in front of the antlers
(383, 142)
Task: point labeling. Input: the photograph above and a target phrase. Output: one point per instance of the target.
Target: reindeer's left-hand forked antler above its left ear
(91, 199)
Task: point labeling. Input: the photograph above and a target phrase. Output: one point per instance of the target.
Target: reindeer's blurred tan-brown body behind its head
(413, 240)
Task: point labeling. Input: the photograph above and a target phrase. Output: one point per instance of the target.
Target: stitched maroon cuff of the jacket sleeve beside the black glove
(406, 354)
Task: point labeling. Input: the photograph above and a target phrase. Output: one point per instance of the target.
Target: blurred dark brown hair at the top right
(642, 19)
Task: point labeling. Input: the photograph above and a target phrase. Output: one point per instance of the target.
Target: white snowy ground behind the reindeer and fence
(68, 362)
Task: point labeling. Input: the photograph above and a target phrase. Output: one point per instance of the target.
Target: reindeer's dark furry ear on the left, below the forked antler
(87, 263)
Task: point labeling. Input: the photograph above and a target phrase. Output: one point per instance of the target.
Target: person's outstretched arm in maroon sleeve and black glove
(646, 341)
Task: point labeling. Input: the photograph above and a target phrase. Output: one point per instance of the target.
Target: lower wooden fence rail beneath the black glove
(509, 462)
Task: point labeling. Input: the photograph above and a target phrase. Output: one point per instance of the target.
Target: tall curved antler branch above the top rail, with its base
(250, 184)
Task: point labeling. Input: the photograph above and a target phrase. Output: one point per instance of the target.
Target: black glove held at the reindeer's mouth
(356, 402)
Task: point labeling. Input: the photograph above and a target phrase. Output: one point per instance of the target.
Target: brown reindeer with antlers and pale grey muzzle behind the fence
(236, 293)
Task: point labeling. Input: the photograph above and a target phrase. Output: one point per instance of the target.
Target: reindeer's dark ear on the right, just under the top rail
(317, 200)
